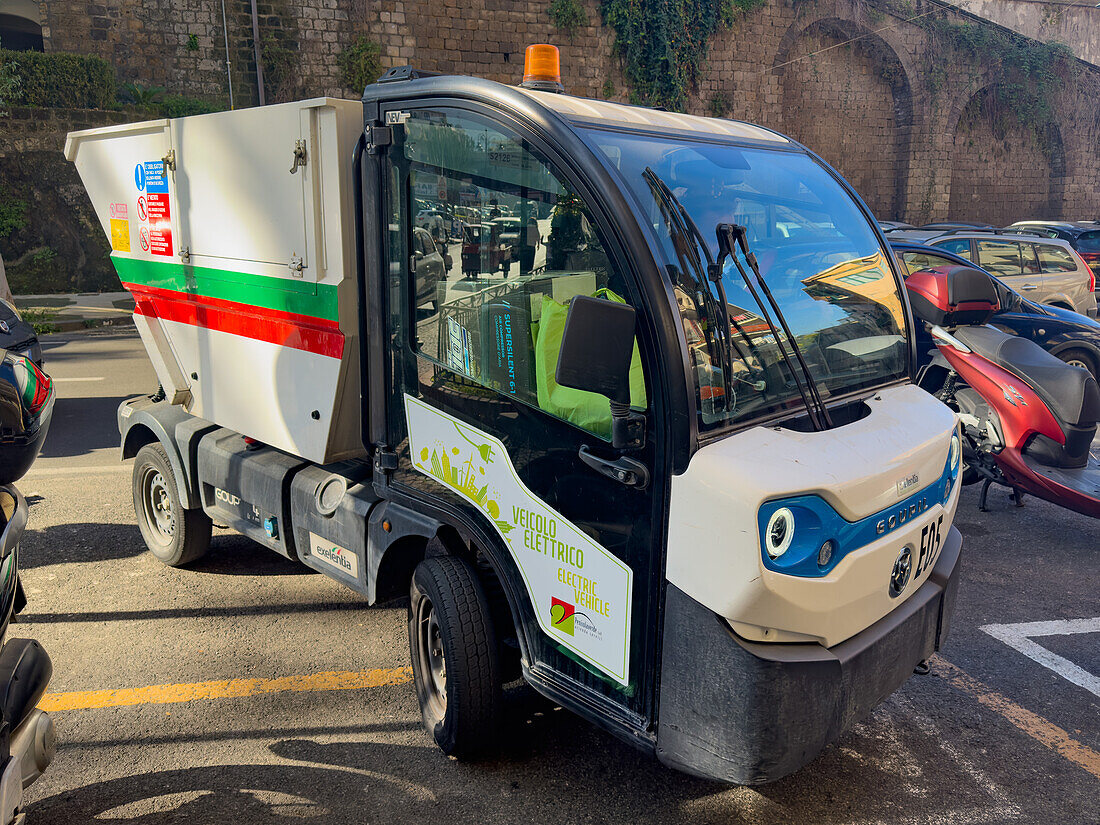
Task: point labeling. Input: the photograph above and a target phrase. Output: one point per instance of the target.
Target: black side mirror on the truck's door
(597, 347)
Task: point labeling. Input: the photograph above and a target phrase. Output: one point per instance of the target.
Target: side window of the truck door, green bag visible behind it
(518, 246)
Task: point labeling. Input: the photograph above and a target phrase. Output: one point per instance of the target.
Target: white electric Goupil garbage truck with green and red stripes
(619, 400)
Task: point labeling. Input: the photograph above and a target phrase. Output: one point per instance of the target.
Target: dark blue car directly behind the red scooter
(1072, 337)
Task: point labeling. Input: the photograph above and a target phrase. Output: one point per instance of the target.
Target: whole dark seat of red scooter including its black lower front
(1072, 394)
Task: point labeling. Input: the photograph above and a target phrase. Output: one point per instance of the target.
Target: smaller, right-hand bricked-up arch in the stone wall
(1004, 171)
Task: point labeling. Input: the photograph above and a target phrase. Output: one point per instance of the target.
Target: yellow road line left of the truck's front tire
(167, 695)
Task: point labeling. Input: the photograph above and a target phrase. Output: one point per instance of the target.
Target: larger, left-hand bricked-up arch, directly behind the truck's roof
(853, 104)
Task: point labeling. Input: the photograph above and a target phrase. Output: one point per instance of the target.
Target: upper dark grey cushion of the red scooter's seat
(1071, 393)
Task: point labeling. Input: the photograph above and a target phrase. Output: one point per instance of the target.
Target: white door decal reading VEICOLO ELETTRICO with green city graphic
(581, 592)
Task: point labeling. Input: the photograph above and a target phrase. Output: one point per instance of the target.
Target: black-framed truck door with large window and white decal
(477, 416)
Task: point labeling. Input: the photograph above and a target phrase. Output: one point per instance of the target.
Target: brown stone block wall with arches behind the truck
(876, 94)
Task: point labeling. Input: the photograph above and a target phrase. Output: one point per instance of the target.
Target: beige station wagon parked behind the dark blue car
(1047, 270)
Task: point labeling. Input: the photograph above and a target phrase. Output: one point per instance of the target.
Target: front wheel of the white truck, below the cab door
(456, 666)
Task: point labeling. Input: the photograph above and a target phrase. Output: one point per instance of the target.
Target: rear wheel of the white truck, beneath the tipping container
(175, 536)
